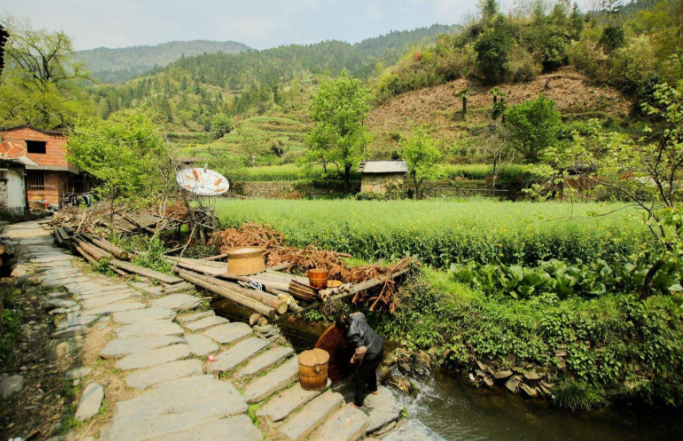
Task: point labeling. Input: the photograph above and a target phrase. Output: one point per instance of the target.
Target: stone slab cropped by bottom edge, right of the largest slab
(239, 428)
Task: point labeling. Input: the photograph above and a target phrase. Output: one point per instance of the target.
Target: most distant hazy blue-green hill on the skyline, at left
(119, 65)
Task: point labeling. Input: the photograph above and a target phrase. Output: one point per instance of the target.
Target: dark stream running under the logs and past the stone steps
(458, 411)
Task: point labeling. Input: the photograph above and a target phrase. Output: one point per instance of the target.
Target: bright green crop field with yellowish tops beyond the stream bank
(445, 232)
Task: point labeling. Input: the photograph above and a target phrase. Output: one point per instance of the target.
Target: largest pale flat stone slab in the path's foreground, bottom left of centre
(174, 406)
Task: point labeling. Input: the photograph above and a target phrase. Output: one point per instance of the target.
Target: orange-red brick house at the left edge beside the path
(52, 177)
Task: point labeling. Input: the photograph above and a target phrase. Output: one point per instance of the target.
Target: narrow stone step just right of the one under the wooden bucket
(300, 424)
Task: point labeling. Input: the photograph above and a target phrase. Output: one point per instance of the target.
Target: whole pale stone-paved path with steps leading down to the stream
(158, 343)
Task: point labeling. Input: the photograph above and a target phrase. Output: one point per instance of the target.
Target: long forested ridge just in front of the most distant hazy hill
(283, 63)
